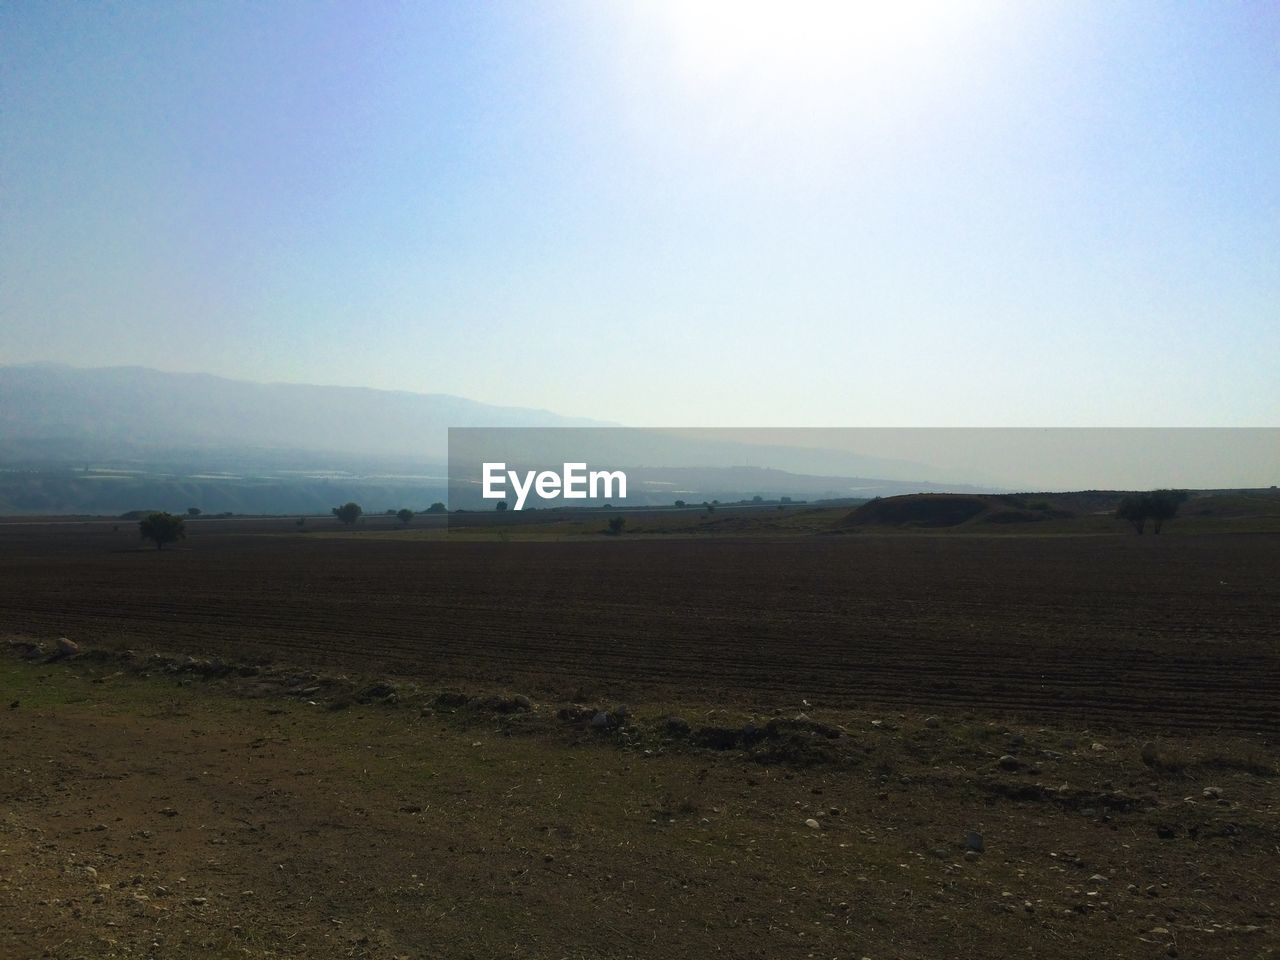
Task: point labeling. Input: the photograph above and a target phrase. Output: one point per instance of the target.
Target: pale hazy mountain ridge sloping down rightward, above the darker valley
(57, 414)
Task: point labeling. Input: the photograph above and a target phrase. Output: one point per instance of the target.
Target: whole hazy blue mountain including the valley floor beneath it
(106, 441)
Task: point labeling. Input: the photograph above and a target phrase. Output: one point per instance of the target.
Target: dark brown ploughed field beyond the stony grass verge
(1177, 632)
